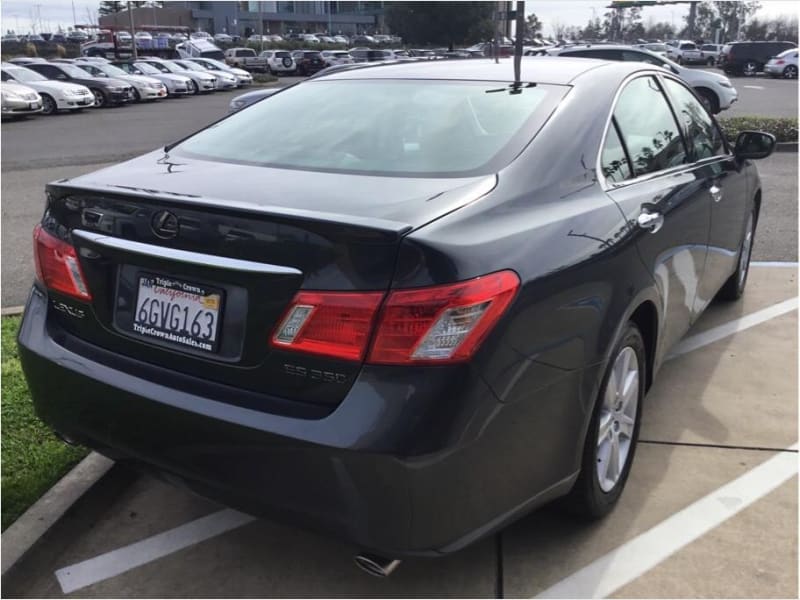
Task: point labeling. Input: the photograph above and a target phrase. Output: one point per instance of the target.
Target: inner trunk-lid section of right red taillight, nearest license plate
(334, 324)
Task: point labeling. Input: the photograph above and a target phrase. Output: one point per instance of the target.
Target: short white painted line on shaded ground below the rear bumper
(124, 559)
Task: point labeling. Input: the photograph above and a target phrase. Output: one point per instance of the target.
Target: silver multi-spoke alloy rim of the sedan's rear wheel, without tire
(617, 418)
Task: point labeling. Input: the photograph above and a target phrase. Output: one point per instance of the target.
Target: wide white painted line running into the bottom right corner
(634, 558)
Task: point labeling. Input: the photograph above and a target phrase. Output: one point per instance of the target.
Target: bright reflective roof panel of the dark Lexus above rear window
(539, 69)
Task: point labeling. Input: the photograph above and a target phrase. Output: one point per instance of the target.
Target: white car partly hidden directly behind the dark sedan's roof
(715, 90)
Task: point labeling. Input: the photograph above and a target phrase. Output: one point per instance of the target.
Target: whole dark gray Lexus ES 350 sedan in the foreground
(403, 304)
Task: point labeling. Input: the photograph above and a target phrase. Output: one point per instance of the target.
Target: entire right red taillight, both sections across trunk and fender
(434, 325)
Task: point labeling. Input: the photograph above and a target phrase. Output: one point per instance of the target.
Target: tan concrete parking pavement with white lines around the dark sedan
(710, 509)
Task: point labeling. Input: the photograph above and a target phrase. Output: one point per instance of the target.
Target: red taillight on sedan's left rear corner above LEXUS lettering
(57, 265)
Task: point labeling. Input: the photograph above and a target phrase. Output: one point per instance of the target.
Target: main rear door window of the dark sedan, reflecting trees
(648, 128)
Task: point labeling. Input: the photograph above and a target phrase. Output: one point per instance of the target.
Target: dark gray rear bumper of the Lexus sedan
(419, 463)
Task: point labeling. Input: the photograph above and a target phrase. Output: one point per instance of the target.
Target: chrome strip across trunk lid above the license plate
(185, 256)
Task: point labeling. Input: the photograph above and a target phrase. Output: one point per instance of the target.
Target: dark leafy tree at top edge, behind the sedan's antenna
(446, 23)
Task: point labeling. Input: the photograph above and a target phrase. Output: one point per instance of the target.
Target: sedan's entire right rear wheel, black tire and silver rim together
(613, 430)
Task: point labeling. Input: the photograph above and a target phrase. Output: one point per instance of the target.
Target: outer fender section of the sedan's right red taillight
(441, 324)
